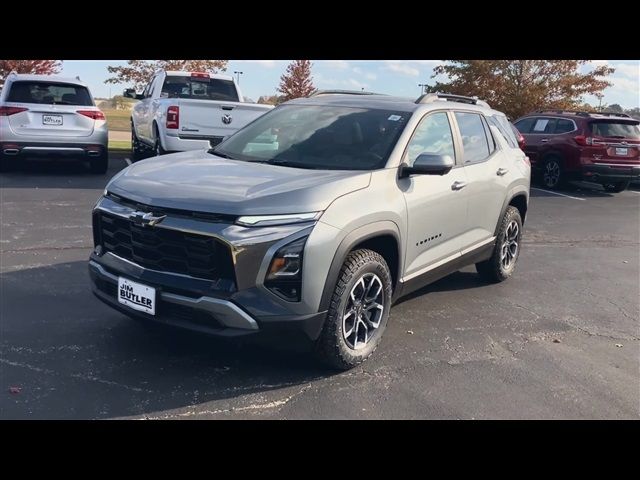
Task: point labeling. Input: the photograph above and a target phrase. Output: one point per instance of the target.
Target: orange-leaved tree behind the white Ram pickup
(139, 72)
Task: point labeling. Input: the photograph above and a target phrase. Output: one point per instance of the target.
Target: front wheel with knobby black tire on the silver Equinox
(333, 347)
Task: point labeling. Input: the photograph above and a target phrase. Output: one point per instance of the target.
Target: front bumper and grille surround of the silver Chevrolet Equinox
(243, 307)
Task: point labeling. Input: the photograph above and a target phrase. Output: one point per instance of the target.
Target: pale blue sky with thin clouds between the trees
(394, 77)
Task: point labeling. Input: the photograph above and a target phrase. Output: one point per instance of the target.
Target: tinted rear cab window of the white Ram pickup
(202, 88)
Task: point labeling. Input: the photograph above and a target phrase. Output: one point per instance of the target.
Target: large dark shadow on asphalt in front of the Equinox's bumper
(73, 357)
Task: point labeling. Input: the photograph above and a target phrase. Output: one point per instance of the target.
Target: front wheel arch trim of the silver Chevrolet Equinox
(359, 235)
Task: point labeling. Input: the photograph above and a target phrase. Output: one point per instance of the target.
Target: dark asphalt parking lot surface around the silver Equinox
(560, 339)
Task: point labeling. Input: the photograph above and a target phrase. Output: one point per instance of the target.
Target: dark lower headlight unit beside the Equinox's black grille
(284, 277)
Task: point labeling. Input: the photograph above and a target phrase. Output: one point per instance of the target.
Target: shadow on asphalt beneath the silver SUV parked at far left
(59, 174)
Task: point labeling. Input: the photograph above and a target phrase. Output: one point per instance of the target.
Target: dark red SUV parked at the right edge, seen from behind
(598, 147)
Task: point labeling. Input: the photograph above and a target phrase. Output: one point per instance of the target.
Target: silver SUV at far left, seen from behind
(51, 117)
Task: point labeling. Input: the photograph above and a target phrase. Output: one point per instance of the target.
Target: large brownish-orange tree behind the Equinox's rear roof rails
(517, 87)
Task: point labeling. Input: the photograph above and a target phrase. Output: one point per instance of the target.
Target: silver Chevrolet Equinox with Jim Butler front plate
(314, 218)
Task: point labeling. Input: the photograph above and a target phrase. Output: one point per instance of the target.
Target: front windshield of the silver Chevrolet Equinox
(320, 137)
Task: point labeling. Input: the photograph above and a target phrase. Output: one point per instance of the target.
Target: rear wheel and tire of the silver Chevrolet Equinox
(496, 269)
